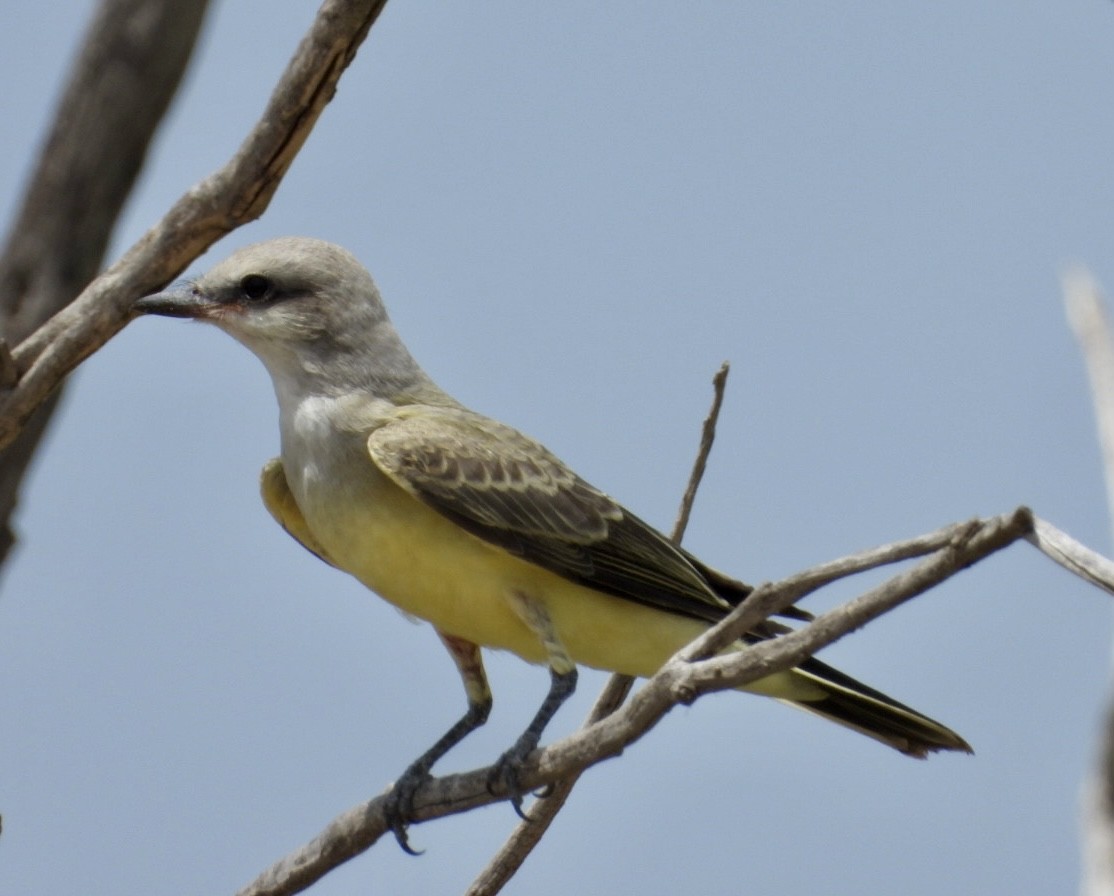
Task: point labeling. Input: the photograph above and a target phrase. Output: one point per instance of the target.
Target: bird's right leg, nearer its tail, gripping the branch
(562, 685)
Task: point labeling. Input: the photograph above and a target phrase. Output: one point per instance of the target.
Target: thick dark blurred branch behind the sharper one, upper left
(130, 67)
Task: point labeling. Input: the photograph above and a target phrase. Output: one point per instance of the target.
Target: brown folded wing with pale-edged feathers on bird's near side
(510, 491)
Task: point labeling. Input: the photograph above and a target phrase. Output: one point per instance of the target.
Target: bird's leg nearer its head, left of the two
(399, 807)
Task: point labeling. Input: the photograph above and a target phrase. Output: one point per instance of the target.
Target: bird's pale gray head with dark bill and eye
(307, 308)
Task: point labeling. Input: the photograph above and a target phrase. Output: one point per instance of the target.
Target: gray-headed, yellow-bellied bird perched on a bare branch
(468, 524)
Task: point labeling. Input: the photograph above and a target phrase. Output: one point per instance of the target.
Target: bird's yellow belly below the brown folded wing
(429, 568)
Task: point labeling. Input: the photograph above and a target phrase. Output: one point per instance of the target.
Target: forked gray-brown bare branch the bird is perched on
(681, 680)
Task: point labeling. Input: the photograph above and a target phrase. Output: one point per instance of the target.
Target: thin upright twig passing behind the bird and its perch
(529, 833)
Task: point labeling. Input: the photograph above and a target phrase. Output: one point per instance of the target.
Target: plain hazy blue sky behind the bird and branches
(575, 213)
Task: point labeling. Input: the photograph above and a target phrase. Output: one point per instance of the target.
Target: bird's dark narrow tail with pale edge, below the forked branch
(871, 713)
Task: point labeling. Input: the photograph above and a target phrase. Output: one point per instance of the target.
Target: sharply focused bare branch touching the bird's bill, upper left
(238, 193)
